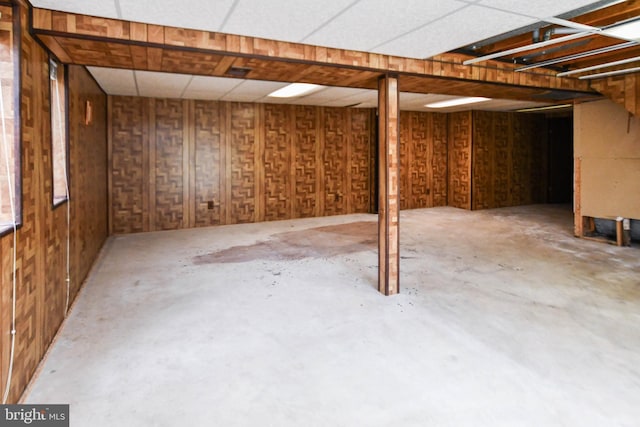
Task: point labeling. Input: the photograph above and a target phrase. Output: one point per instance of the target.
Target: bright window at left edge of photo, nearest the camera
(10, 207)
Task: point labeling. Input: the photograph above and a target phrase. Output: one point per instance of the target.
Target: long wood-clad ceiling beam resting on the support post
(108, 42)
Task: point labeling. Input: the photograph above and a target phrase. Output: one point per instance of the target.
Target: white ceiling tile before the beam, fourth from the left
(372, 22)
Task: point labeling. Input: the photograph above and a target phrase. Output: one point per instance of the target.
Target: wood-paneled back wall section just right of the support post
(423, 160)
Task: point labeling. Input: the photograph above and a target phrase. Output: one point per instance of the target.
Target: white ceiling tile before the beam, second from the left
(197, 14)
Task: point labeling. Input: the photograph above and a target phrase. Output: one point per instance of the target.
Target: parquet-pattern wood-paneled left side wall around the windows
(41, 254)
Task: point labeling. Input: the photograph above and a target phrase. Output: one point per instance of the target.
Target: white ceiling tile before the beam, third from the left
(289, 20)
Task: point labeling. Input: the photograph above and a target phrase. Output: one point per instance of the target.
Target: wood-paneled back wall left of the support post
(186, 163)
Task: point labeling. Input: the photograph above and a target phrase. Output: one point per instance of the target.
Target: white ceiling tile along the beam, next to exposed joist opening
(443, 35)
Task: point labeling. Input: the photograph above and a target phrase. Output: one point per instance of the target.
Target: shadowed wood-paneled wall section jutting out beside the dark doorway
(496, 159)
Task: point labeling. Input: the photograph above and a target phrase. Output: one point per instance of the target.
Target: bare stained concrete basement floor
(504, 319)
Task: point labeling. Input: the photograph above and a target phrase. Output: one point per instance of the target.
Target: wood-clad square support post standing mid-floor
(389, 176)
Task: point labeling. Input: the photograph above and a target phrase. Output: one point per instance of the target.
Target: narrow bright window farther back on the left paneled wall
(59, 140)
